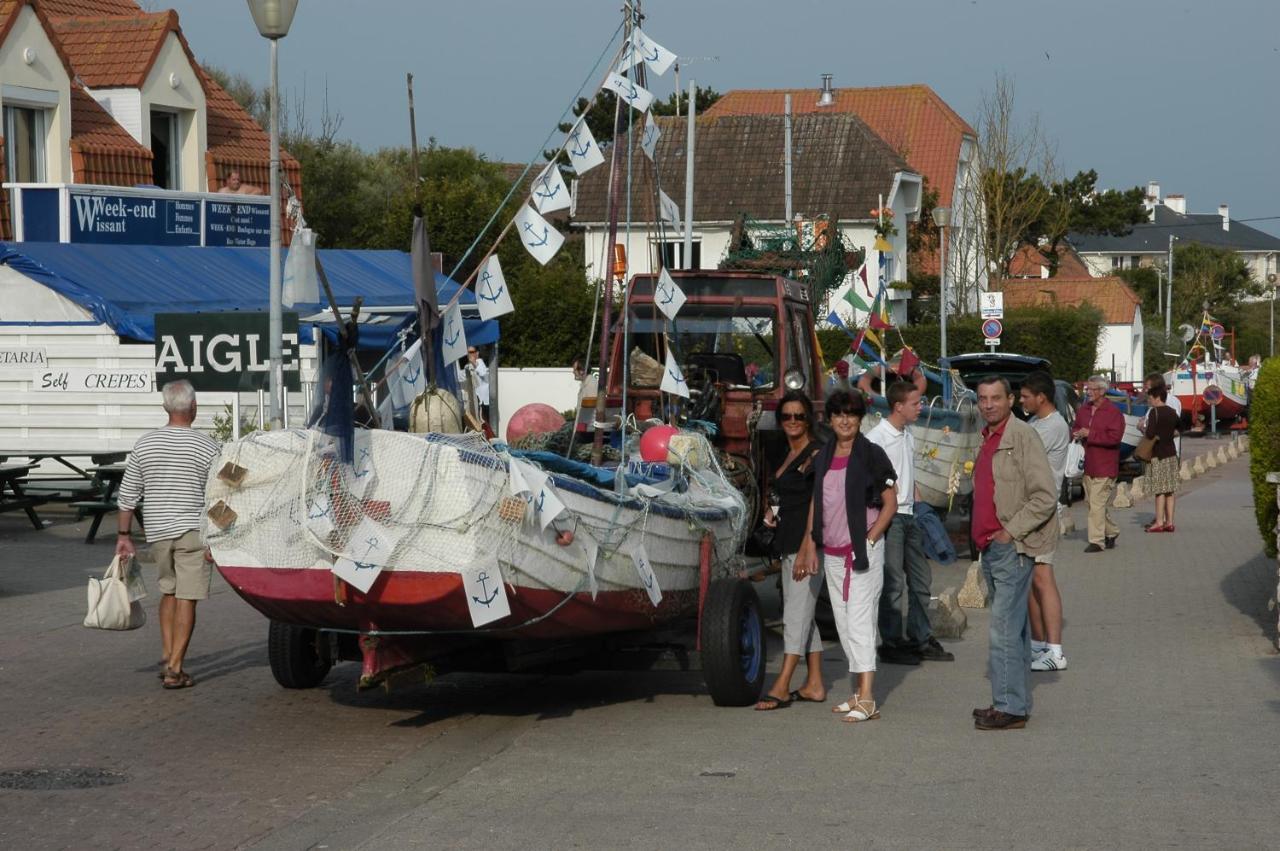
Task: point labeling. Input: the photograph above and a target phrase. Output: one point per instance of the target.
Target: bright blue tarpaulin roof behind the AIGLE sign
(127, 286)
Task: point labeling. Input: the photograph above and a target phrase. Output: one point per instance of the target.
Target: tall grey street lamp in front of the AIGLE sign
(273, 20)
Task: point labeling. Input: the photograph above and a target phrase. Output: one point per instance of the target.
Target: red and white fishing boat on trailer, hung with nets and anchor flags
(445, 551)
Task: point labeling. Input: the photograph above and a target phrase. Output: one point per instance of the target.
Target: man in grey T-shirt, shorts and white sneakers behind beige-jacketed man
(1045, 605)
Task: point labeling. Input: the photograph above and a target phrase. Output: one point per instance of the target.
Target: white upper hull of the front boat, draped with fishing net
(446, 504)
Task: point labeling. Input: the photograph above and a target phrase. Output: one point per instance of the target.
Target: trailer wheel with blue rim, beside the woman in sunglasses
(733, 643)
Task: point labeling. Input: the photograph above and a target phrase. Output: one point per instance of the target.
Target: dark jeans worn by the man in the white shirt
(907, 575)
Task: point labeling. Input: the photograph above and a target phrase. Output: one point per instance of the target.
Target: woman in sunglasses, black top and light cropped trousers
(793, 486)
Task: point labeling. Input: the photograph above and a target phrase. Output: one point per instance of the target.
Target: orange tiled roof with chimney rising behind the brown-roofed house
(913, 120)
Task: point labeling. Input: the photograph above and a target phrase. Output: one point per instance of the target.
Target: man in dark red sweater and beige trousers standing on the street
(1100, 425)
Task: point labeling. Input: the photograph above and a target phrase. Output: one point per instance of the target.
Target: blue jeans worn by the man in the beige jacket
(1009, 577)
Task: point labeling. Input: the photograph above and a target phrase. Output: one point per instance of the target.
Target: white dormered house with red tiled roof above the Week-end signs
(102, 93)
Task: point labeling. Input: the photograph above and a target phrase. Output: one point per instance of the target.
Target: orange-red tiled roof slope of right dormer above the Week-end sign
(115, 53)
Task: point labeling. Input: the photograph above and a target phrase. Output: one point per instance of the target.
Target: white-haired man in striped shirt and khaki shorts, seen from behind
(170, 468)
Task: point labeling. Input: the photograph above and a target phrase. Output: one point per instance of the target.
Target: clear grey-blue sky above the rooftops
(1177, 91)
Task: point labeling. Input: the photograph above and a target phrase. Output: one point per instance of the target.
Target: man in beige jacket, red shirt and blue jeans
(1014, 521)
